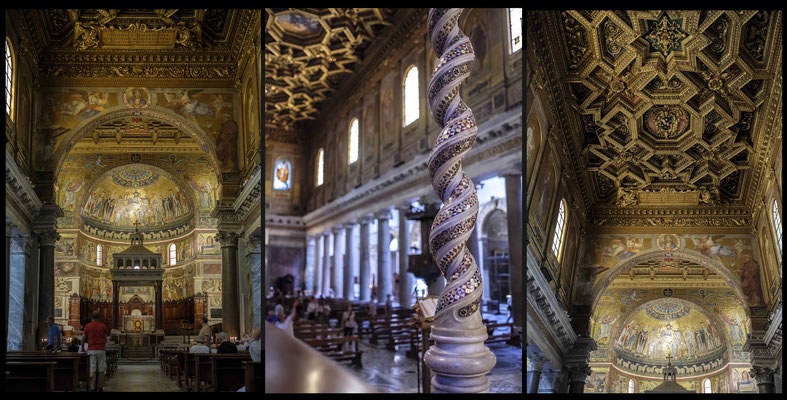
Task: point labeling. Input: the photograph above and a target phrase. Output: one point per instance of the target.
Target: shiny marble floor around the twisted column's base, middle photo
(395, 372)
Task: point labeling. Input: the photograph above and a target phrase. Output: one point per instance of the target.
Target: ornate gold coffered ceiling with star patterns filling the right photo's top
(663, 108)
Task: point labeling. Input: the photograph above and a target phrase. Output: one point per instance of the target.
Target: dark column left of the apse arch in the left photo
(46, 280)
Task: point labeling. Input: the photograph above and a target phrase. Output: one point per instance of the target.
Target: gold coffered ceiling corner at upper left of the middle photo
(309, 52)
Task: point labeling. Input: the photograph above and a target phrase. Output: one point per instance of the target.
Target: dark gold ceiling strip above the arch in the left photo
(179, 45)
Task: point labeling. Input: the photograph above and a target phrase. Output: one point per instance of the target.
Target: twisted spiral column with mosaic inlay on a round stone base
(459, 359)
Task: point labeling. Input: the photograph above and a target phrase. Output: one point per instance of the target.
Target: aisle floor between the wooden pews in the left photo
(140, 377)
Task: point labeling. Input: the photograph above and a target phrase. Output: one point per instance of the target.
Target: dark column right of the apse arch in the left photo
(229, 282)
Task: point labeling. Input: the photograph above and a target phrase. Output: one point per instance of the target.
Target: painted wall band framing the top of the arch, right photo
(732, 251)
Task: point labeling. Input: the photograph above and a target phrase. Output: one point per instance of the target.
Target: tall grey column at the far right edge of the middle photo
(514, 214)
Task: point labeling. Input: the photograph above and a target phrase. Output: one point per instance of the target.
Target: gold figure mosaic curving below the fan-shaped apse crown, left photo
(157, 204)
